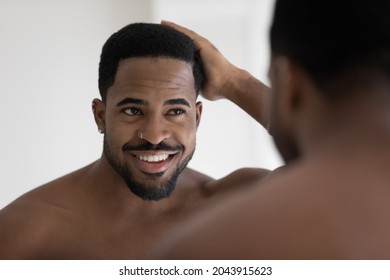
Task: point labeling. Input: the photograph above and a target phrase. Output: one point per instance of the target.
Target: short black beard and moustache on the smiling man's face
(146, 191)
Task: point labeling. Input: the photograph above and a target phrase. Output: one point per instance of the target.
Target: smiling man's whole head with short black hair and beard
(149, 79)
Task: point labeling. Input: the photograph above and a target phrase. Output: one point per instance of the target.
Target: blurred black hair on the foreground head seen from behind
(330, 38)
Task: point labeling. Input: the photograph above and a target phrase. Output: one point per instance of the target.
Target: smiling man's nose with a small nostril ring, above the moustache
(154, 130)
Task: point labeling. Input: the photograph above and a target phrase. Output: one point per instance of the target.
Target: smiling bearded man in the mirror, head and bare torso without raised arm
(119, 206)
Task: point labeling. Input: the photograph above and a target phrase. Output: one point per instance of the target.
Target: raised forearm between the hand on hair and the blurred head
(249, 94)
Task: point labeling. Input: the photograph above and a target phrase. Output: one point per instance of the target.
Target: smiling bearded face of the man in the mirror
(151, 118)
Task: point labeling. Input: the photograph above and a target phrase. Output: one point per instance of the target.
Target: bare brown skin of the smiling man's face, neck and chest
(91, 213)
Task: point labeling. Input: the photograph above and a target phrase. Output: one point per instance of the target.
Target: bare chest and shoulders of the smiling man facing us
(79, 217)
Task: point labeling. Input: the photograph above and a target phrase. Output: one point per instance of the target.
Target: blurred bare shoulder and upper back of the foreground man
(305, 212)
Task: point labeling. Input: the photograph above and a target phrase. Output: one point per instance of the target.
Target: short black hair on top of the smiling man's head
(146, 40)
